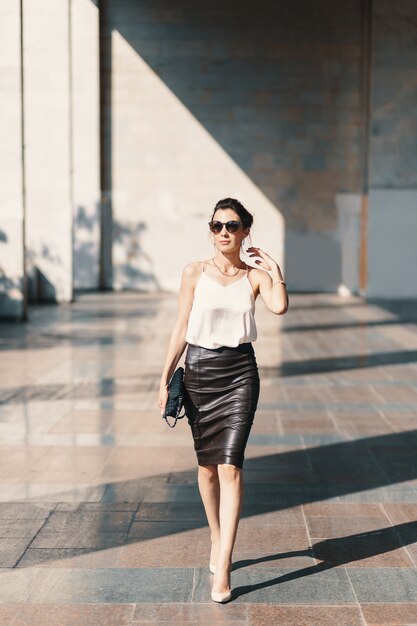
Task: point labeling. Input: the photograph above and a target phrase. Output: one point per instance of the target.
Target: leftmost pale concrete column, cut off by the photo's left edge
(11, 178)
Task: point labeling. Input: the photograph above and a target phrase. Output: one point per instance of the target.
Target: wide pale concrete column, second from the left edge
(47, 105)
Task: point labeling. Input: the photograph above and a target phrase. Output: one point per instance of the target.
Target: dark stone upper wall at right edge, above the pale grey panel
(394, 95)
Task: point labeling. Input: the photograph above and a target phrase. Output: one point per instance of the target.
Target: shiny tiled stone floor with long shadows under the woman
(100, 517)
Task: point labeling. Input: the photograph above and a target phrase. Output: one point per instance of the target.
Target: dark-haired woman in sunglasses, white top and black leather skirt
(216, 320)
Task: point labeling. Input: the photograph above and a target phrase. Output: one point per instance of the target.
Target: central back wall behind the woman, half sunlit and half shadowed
(215, 100)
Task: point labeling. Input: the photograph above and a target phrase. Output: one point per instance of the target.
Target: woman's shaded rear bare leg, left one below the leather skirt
(209, 486)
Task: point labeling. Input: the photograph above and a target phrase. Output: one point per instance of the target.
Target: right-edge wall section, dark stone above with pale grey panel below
(392, 243)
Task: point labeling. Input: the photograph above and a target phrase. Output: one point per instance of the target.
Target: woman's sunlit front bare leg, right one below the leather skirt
(231, 497)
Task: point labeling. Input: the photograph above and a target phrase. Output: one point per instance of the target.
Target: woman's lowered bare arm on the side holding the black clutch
(177, 343)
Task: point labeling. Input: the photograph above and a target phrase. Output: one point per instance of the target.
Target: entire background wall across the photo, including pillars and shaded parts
(197, 103)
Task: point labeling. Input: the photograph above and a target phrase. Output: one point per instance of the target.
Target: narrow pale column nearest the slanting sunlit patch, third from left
(86, 142)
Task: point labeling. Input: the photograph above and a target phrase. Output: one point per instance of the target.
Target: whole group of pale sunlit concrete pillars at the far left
(50, 96)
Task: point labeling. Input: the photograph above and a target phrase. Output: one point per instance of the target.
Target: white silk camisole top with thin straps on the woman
(222, 315)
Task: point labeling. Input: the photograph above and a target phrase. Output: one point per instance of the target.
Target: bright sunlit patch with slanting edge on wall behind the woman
(167, 174)
